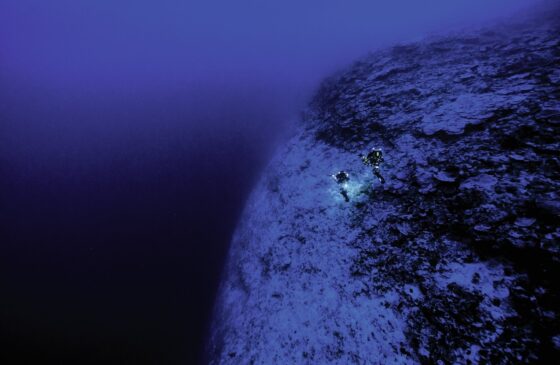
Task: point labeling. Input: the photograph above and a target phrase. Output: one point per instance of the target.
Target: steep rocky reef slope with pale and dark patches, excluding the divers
(455, 259)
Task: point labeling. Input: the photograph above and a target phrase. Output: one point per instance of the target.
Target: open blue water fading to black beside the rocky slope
(130, 135)
